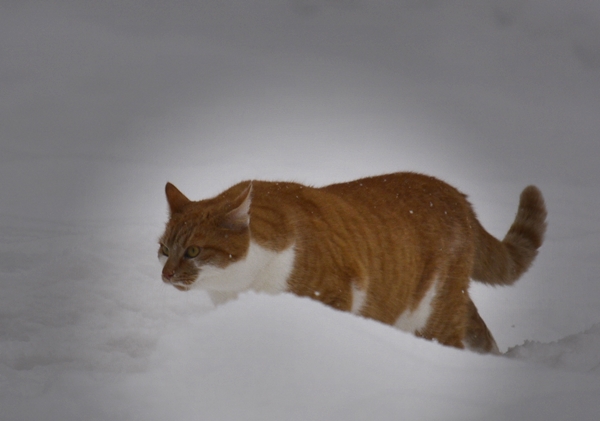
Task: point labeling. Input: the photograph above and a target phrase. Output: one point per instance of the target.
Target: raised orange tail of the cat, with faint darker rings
(503, 262)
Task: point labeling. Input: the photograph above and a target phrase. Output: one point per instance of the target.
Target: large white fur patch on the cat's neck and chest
(262, 270)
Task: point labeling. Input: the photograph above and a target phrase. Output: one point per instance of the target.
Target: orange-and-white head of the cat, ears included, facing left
(204, 237)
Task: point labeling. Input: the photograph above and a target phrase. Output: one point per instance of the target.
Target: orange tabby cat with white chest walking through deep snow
(398, 248)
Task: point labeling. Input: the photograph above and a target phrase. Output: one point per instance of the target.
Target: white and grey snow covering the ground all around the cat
(103, 102)
